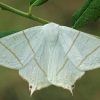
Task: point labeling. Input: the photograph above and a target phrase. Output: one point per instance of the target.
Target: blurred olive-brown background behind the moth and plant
(12, 86)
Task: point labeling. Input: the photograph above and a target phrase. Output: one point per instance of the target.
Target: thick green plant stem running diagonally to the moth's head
(18, 12)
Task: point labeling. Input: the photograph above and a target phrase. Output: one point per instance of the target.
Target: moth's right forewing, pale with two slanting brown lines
(82, 49)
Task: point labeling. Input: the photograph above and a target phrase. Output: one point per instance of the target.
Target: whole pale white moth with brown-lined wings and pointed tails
(50, 55)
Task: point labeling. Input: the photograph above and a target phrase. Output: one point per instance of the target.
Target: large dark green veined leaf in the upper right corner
(90, 11)
